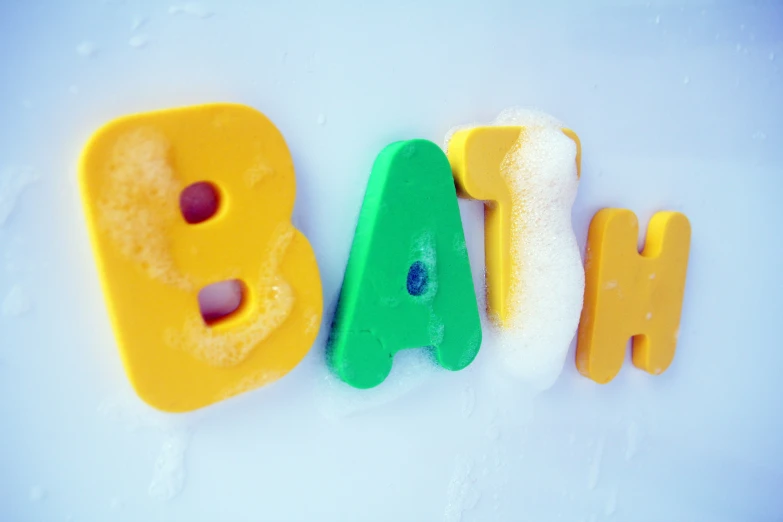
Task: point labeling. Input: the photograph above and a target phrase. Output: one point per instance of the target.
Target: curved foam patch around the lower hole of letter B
(274, 299)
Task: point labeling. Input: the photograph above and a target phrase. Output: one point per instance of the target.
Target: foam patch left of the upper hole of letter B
(140, 201)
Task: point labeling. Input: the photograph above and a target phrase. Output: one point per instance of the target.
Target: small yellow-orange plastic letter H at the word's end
(632, 295)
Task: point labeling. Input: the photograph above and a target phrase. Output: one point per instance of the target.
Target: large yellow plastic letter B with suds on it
(152, 264)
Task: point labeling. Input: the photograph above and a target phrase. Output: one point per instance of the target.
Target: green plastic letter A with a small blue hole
(407, 282)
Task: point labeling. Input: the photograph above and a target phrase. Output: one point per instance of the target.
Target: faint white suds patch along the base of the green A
(336, 399)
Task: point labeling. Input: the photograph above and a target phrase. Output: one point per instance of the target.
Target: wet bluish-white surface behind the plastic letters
(677, 108)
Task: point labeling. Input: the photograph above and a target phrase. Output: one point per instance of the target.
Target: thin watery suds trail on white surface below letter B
(168, 475)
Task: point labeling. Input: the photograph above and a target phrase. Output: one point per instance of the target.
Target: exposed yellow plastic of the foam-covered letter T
(476, 155)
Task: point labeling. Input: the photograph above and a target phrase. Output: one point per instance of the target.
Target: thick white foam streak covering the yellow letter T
(546, 298)
